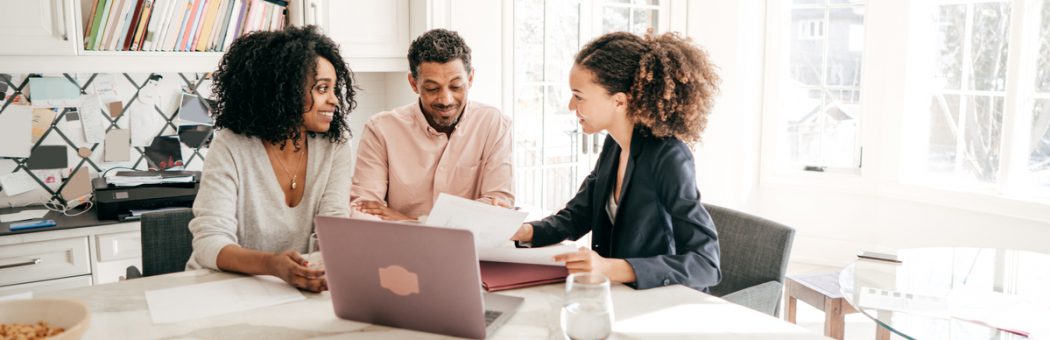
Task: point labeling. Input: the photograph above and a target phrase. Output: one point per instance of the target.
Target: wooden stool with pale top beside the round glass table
(822, 291)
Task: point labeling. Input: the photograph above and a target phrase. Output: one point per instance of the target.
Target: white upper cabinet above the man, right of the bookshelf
(373, 36)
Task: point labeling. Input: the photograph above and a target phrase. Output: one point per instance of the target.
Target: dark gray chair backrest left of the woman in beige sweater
(166, 242)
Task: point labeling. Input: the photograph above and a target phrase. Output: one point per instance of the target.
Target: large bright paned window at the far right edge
(989, 113)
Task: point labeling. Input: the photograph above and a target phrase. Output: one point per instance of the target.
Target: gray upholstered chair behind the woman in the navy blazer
(754, 259)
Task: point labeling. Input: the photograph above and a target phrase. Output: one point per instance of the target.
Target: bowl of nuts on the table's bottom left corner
(59, 320)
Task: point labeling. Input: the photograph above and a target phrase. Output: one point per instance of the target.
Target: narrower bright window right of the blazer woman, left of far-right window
(820, 117)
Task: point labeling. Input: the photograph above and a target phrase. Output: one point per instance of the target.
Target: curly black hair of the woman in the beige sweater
(262, 86)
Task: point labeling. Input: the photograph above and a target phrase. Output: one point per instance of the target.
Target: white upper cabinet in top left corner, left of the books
(38, 28)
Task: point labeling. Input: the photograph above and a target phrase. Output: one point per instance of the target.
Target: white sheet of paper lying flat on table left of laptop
(211, 300)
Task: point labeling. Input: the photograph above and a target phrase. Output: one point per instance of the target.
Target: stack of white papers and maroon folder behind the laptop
(503, 266)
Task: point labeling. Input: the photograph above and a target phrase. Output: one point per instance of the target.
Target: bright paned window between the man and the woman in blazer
(552, 155)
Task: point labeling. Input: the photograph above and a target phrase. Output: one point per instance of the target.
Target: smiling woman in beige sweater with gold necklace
(280, 156)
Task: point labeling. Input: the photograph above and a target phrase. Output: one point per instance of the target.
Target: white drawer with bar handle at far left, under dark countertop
(43, 261)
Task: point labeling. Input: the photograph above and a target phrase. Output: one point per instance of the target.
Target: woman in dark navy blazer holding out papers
(653, 96)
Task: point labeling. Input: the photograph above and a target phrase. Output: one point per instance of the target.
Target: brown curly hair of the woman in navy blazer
(670, 82)
